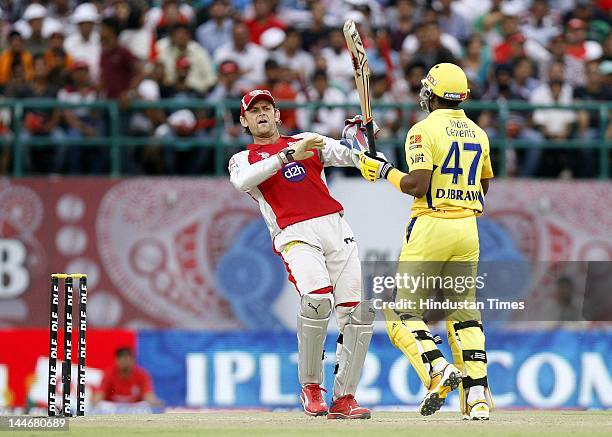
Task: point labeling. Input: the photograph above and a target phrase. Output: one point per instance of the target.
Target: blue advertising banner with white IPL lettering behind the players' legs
(544, 369)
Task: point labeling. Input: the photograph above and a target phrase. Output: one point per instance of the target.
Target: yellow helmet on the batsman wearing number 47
(445, 80)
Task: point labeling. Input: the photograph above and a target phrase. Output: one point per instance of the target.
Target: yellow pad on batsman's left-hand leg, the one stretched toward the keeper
(401, 334)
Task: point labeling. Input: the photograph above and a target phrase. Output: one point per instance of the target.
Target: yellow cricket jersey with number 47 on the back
(457, 151)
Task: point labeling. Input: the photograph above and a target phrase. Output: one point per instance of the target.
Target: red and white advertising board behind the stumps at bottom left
(24, 359)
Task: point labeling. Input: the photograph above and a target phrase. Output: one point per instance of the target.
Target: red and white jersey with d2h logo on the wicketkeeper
(290, 193)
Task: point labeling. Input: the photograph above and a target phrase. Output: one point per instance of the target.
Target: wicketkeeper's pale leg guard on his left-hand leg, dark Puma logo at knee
(315, 310)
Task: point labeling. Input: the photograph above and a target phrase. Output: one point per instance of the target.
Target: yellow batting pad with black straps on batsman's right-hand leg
(467, 342)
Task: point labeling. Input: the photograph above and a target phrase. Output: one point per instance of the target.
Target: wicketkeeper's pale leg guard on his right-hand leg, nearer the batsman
(356, 327)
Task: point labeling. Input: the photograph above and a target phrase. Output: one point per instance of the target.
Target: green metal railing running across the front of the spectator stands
(116, 139)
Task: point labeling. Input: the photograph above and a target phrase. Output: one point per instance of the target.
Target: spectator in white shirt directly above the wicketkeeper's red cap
(249, 56)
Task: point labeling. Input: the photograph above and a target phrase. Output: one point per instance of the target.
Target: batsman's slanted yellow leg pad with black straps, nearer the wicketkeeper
(412, 337)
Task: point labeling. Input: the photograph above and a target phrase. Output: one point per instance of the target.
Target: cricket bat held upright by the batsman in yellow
(362, 78)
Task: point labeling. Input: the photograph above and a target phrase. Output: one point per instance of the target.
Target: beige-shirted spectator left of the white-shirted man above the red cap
(180, 45)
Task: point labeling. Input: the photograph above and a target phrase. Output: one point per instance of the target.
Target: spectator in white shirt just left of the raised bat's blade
(338, 62)
